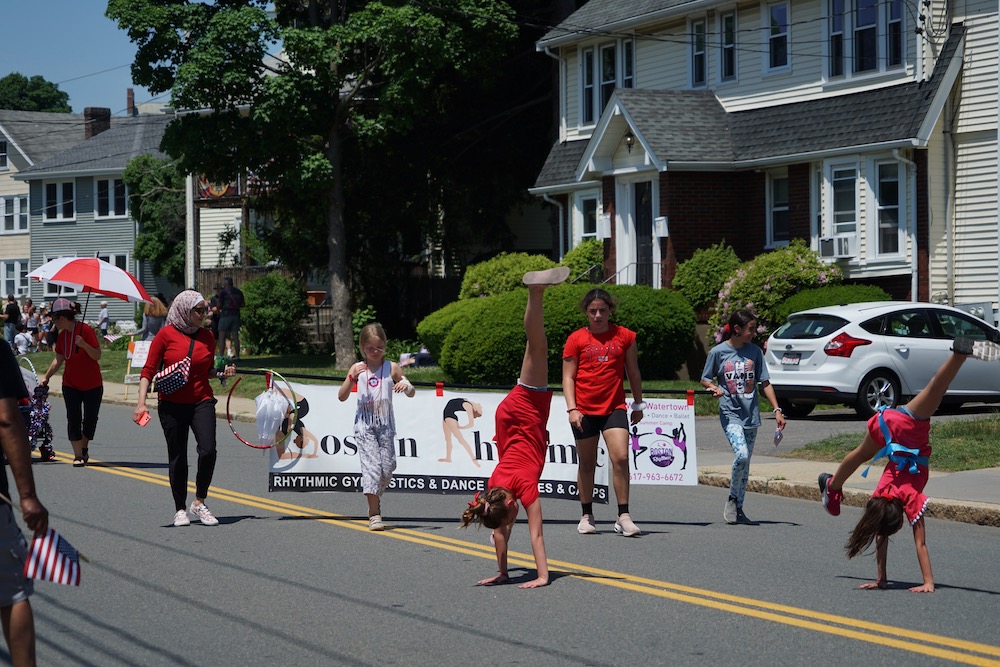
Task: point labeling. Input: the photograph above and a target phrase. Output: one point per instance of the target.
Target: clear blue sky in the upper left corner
(71, 43)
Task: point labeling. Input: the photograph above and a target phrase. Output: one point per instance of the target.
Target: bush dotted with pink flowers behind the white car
(768, 280)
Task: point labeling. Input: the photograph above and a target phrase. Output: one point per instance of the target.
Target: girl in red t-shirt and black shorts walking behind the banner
(595, 361)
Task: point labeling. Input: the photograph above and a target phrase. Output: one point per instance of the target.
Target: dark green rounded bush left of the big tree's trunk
(273, 313)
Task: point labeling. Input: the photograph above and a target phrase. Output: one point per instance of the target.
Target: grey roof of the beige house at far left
(38, 135)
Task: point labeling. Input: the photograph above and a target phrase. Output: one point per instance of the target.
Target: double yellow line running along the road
(902, 638)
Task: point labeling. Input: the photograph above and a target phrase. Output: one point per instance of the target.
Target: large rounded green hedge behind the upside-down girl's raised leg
(485, 341)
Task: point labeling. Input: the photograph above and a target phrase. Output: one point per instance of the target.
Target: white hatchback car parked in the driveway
(875, 354)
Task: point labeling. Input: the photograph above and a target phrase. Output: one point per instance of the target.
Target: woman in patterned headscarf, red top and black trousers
(192, 407)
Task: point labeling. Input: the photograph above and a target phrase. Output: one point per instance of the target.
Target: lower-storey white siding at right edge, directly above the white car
(975, 263)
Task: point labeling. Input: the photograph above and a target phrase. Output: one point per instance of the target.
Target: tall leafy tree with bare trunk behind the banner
(280, 93)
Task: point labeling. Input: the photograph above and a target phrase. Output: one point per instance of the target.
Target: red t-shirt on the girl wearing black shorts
(600, 368)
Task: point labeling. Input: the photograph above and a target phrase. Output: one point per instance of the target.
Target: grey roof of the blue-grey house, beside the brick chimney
(108, 152)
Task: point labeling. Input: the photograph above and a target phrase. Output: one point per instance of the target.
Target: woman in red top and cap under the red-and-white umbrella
(82, 385)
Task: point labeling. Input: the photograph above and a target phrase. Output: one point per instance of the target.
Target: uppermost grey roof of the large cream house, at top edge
(605, 17)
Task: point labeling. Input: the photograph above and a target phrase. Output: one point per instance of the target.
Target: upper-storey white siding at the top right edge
(978, 109)
